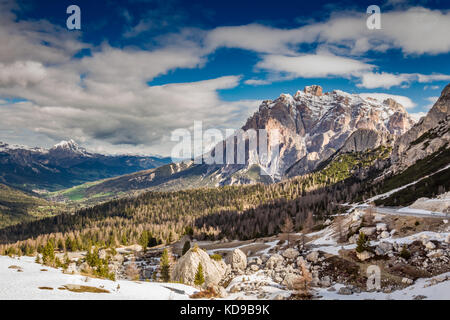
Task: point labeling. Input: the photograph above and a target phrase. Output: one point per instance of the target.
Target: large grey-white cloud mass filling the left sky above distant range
(103, 100)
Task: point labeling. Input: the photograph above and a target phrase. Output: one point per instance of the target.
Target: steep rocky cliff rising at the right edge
(426, 136)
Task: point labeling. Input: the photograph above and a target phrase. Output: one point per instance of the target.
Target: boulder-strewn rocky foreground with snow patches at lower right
(411, 252)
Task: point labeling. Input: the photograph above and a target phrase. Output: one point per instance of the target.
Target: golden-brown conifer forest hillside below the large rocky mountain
(166, 215)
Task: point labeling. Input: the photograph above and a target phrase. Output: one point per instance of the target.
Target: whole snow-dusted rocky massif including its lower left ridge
(312, 126)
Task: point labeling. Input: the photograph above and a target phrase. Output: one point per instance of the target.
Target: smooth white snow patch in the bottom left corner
(25, 285)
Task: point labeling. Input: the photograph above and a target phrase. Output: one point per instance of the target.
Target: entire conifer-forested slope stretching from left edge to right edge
(237, 212)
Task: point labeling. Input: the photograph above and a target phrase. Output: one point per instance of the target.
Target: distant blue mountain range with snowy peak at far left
(65, 165)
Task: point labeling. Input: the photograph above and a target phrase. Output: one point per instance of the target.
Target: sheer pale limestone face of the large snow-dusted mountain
(313, 125)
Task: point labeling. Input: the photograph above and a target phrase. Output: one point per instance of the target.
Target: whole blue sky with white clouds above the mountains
(137, 70)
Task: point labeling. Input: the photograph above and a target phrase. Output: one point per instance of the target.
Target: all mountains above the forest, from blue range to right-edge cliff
(327, 138)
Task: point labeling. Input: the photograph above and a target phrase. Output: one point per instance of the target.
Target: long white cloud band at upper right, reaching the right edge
(414, 31)
